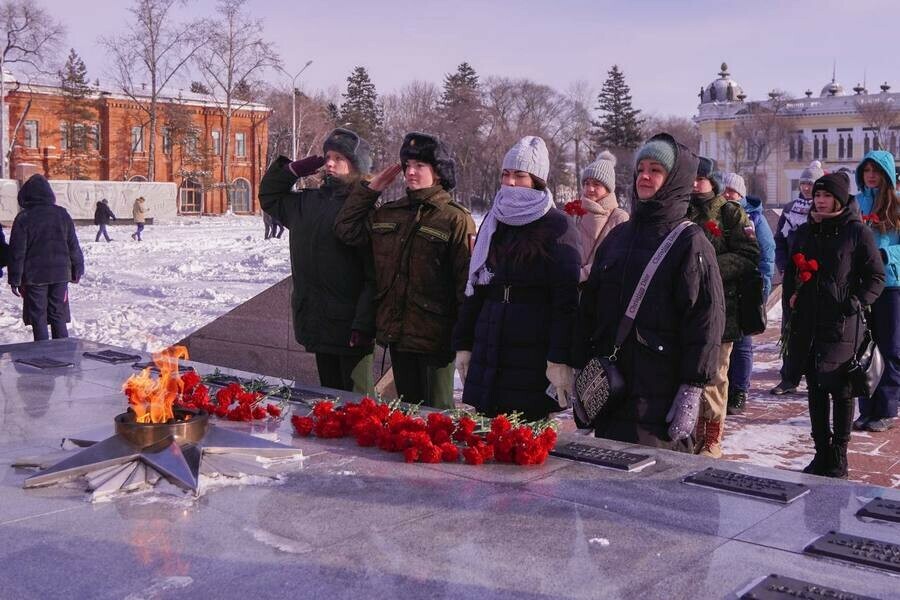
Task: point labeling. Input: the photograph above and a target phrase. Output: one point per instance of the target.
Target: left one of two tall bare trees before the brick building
(154, 47)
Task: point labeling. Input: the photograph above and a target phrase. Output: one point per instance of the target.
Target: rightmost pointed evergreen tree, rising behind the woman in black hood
(619, 126)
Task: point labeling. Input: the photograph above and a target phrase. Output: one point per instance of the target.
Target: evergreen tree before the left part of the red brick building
(78, 116)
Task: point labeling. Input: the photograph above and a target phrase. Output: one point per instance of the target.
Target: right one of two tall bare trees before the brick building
(233, 58)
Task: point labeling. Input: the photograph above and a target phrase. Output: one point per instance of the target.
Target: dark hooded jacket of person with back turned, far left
(43, 246)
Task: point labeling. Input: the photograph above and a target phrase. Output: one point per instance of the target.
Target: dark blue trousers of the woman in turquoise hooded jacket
(885, 324)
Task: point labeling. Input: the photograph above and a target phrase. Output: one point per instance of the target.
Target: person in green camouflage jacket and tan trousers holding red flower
(728, 229)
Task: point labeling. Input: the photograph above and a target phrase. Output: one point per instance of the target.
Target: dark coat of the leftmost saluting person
(334, 284)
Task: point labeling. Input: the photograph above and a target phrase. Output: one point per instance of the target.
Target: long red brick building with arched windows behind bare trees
(110, 141)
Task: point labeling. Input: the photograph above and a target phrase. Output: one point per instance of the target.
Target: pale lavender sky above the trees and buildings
(667, 48)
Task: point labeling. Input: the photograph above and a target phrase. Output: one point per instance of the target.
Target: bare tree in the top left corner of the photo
(30, 38)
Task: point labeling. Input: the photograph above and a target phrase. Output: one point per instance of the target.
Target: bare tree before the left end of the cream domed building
(762, 128)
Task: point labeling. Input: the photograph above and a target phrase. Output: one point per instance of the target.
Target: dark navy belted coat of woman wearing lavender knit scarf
(512, 341)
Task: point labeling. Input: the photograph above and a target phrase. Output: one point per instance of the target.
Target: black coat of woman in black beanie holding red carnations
(826, 322)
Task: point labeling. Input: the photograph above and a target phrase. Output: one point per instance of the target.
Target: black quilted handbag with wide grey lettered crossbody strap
(600, 386)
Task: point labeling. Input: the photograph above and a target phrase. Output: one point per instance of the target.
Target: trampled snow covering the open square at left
(151, 294)
